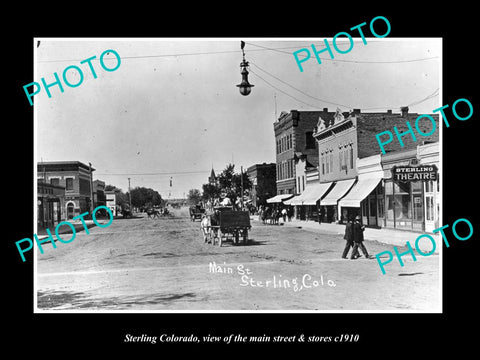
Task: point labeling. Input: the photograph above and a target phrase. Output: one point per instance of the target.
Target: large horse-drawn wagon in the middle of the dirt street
(226, 224)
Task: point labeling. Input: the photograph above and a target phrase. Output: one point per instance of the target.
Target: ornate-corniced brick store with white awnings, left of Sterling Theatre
(357, 187)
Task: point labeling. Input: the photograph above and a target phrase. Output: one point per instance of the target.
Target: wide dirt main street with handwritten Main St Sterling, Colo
(163, 264)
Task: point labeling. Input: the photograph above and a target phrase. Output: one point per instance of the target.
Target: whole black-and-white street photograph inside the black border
(237, 174)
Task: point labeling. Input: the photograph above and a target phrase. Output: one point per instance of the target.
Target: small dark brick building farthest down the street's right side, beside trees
(263, 178)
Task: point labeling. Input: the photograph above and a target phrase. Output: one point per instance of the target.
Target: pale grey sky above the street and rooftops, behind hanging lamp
(172, 108)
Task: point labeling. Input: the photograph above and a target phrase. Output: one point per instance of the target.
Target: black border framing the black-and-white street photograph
(91, 333)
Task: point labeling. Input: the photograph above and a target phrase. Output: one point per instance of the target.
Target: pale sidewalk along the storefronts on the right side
(386, 236)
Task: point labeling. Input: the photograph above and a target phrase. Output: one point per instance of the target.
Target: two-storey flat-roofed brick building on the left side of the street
(75, 176)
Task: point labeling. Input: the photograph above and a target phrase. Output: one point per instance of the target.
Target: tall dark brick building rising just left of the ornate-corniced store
(294, 141)
